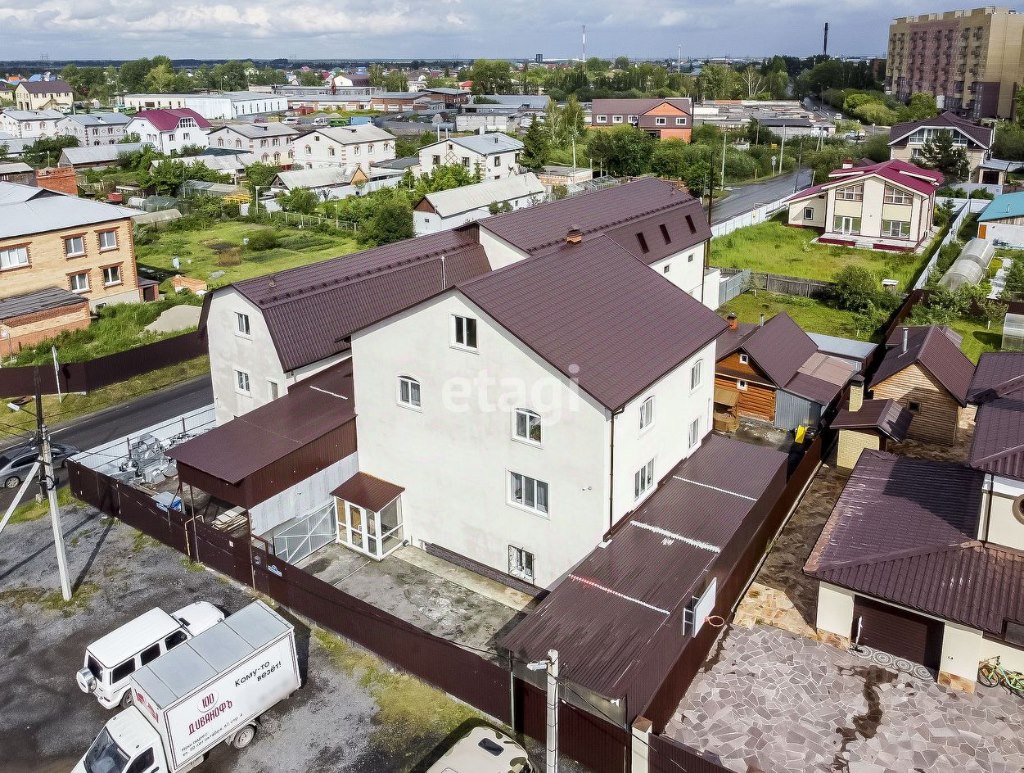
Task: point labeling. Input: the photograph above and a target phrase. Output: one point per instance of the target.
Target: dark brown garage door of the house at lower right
(895, 631)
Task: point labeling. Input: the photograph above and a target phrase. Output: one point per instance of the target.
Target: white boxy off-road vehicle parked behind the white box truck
(112, 660)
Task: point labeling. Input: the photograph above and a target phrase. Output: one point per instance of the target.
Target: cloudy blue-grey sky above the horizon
(344, 29)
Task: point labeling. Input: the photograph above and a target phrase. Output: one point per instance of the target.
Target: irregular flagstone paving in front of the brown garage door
(777, 703)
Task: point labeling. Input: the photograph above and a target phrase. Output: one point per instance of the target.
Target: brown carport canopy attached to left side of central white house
(268, 451)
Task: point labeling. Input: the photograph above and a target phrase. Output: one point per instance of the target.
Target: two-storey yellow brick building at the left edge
(60, 257)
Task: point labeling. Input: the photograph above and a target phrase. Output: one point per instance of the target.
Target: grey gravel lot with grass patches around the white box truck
(353, 714)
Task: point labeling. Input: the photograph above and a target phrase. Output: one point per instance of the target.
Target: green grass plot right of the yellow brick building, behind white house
(220, 248)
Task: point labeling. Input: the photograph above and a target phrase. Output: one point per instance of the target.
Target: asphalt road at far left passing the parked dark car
(90, 432)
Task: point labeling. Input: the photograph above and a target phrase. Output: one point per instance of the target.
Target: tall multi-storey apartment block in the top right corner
(970, 60)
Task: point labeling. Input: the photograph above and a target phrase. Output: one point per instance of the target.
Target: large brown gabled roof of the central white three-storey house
(599, 316)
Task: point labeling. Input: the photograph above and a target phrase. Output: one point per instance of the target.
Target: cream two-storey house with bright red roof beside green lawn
(887, 206)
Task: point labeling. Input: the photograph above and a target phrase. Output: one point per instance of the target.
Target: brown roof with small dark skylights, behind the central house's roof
(622, 212)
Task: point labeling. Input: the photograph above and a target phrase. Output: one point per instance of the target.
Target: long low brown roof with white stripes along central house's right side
(605, 617)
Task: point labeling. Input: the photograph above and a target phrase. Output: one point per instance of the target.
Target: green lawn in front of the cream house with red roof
(776, 248)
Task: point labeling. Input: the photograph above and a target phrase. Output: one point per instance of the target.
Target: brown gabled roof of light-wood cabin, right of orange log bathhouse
(935, 352)
